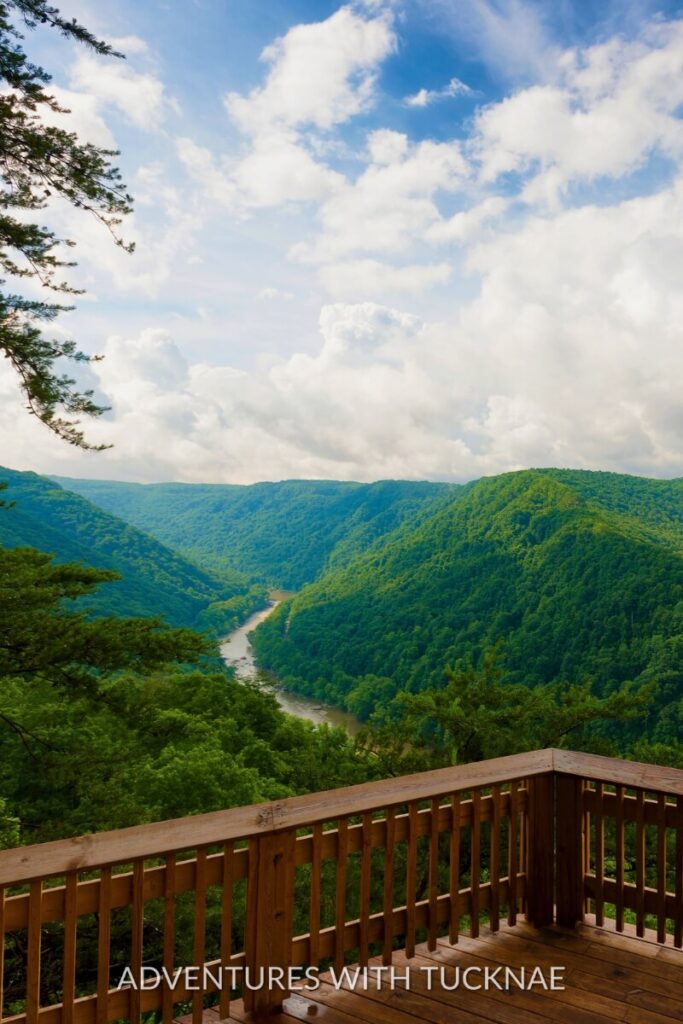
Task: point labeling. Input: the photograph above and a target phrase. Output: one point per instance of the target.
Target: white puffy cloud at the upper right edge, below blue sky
(611, 108)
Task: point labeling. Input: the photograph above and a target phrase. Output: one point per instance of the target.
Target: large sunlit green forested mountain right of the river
(579, 575)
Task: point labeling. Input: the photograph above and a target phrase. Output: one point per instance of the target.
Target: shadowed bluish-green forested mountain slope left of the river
(155, 581)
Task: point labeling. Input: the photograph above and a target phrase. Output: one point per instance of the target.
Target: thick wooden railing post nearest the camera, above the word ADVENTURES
(270, 913)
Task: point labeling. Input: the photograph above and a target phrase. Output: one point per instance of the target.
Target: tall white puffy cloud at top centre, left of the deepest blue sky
(320, 75)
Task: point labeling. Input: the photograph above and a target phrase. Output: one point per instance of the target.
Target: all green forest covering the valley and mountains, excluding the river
(535, 609)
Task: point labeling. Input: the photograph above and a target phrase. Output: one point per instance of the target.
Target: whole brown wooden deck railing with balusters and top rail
(334, 877)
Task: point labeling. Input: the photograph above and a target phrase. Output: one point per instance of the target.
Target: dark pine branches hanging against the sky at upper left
(38, 162)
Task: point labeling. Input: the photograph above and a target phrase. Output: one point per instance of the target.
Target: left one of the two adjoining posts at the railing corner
(541, 854)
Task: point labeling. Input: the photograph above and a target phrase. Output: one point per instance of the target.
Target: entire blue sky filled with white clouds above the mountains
(417, 239)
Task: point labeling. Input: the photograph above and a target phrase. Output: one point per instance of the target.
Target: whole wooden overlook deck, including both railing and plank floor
(345, 875)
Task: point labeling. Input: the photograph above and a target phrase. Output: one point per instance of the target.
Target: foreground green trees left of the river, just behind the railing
(104, 723)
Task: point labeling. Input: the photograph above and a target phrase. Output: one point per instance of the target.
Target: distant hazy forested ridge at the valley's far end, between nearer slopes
(284, 535)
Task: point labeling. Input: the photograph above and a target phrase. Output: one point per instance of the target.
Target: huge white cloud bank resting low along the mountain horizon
(571, 355)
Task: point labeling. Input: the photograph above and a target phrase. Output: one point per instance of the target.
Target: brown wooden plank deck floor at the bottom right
(609, 978)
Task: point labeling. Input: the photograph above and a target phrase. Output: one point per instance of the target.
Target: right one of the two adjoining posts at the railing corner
(570, 868)
